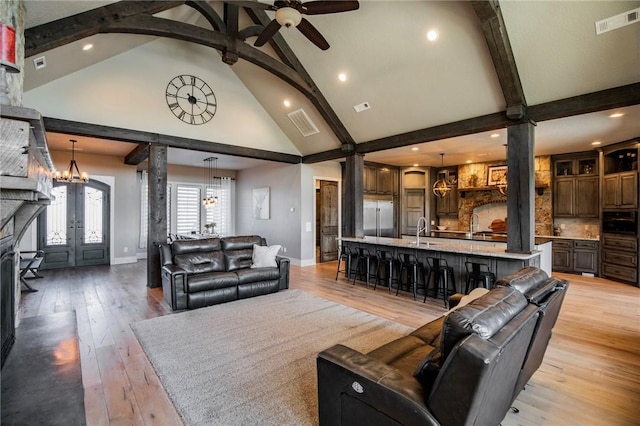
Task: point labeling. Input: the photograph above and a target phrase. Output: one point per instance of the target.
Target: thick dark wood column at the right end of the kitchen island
(521, 188)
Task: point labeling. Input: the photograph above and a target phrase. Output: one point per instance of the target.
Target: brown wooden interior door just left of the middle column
(328, 220)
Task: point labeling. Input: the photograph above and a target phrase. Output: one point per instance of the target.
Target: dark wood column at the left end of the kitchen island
(353, 225)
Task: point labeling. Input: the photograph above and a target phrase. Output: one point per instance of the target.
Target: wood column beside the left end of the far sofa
(157, 232)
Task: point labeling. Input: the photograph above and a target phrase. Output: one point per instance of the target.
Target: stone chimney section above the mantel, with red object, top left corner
(12, 18)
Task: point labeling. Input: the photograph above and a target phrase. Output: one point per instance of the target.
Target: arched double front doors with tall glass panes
(74, 229)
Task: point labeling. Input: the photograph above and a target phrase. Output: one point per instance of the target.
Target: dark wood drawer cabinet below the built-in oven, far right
(620, 258)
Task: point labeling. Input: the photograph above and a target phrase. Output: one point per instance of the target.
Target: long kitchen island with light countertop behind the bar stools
(457, 251)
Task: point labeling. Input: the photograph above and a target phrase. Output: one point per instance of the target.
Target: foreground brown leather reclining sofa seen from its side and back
(465, 368)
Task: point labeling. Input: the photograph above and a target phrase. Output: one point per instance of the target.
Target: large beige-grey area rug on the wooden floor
(253, 361)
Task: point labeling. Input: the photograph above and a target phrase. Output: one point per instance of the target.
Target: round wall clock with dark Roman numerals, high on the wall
(191, 99)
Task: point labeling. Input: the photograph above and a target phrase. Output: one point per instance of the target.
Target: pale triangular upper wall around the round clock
(128, 91)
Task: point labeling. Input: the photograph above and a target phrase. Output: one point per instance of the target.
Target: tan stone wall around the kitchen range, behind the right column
(474, 176)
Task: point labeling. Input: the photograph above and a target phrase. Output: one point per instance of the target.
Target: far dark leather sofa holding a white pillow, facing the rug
(197, 273)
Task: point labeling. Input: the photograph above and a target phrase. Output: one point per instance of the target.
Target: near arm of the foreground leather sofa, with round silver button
(355, 388)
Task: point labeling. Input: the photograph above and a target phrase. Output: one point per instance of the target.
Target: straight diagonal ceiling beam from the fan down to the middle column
(316, 97)
